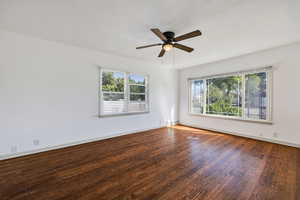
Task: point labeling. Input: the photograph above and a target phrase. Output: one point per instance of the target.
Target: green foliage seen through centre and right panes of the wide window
(224, 93)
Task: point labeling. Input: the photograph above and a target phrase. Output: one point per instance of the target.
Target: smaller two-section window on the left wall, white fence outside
(122, 93)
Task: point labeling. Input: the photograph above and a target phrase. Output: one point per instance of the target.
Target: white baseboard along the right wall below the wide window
(242, 135)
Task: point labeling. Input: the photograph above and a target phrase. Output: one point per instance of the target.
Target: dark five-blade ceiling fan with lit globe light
(169, 41)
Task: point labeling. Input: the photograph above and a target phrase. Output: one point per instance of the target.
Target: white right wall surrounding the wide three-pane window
(286, 103)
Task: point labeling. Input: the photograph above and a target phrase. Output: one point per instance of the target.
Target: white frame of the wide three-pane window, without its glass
(269, 118)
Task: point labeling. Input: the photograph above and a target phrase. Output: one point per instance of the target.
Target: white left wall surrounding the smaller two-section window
(49, 92)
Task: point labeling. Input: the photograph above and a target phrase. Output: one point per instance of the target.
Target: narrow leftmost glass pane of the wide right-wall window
(197, 91)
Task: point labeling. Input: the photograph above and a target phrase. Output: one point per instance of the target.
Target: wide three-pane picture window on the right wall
(243, 95)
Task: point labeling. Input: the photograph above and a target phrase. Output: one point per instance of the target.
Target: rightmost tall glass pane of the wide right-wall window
(256, 96)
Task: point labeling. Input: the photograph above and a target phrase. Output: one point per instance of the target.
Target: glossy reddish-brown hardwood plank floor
(168, 163)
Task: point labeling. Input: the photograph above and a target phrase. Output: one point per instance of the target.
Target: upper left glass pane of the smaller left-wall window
(113, 81)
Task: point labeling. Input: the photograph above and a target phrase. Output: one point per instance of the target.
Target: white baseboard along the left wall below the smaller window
(25, 153)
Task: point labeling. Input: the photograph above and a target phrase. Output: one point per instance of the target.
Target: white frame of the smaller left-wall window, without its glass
(126, 93)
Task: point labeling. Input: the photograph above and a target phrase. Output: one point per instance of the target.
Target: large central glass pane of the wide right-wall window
(224, 96)
